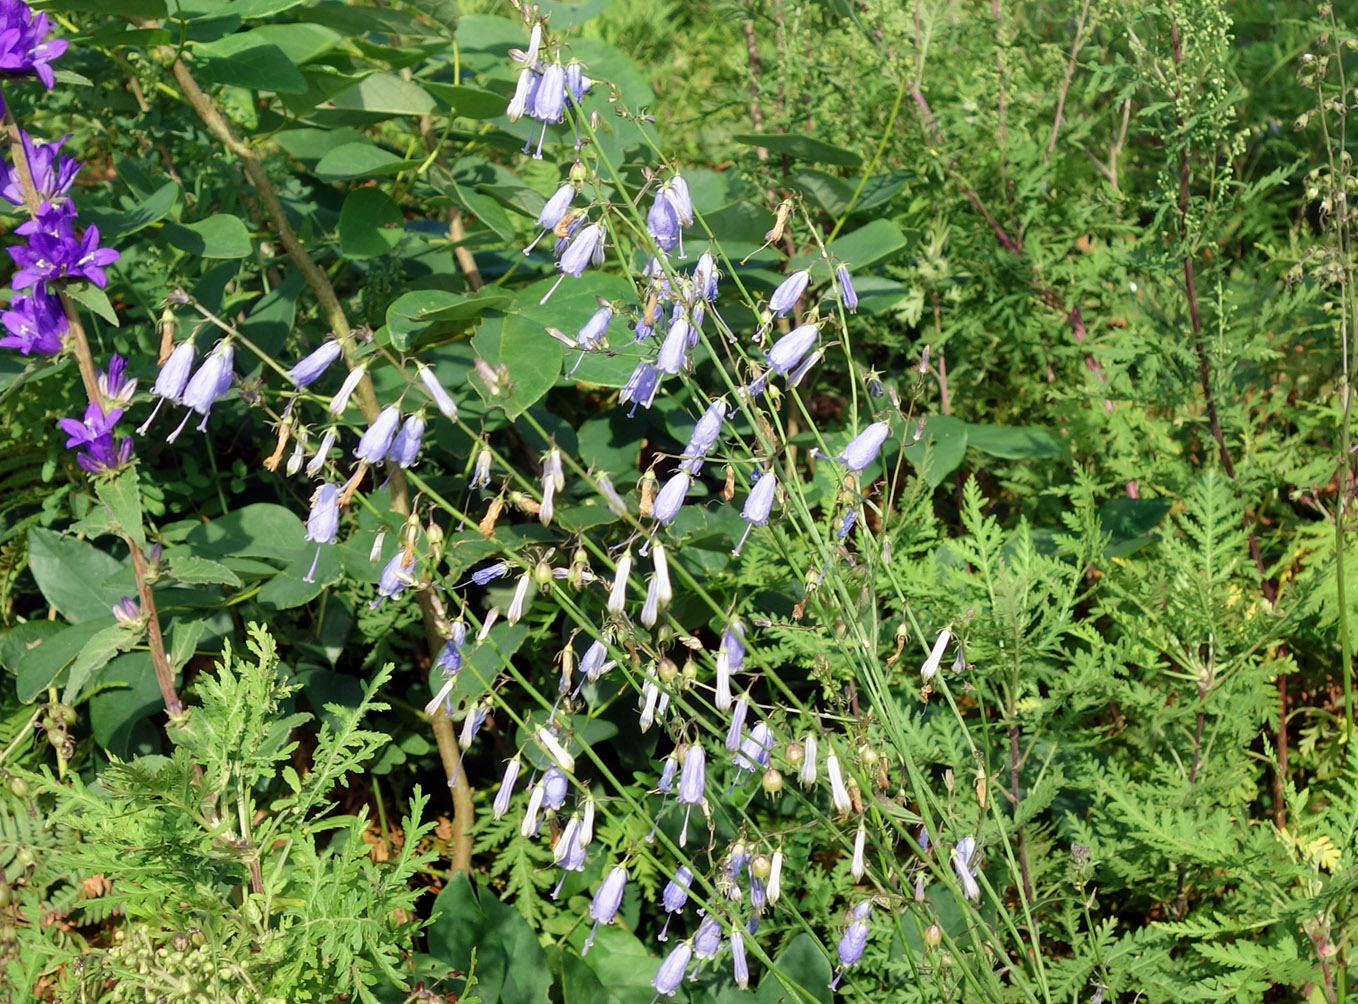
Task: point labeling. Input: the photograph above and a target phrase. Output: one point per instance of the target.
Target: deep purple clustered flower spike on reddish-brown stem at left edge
(43, 317)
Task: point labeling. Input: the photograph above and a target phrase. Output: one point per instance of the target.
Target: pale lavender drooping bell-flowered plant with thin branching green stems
(634, 627)
